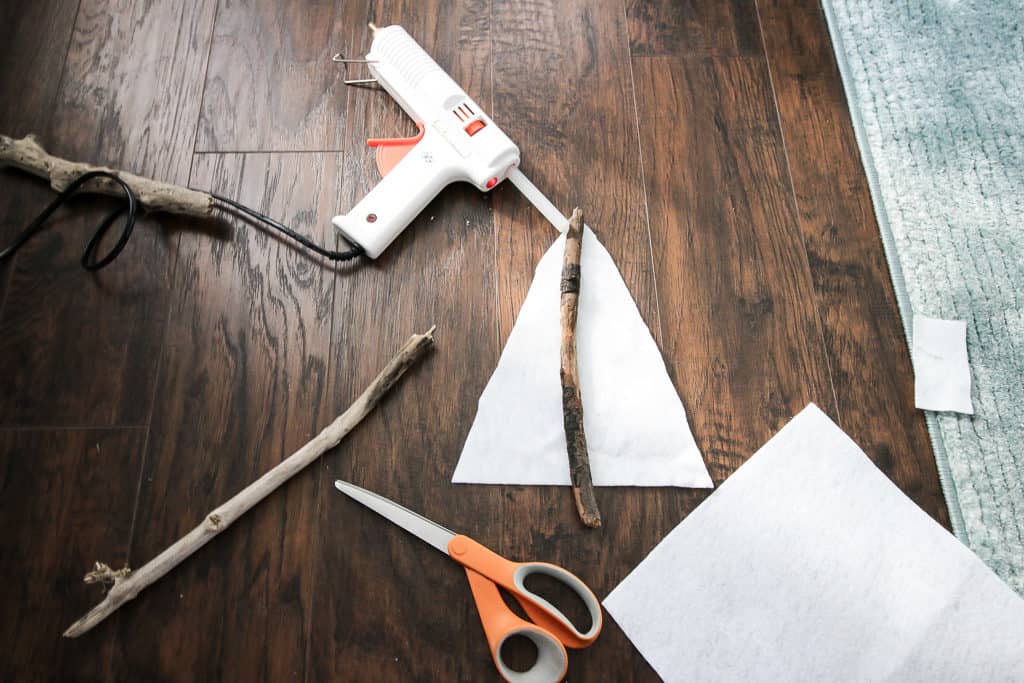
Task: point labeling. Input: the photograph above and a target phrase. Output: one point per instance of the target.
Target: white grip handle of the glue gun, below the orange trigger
(398, 199)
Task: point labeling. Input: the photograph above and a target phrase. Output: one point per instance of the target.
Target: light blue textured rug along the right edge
(936, 92)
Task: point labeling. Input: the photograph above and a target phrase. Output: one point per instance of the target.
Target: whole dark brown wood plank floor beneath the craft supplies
(711, 146)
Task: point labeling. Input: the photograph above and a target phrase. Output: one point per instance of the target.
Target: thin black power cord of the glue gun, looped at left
(131, 211)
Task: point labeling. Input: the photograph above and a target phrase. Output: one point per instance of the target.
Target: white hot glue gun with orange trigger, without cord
(457, 143)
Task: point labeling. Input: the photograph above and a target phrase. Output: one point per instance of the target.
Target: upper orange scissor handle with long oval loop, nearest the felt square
(511, 577)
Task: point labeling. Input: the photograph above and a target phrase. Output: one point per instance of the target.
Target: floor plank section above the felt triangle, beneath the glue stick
(578, 138)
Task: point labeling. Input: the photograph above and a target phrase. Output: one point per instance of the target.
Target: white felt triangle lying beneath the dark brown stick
(636, 428)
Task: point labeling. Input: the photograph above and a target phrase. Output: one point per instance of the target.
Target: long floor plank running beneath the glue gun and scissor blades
(390, 607)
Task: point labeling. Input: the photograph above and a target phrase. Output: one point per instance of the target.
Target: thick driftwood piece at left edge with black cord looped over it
(28, 155)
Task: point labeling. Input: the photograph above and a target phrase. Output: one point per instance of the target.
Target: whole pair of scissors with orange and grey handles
(551, 632)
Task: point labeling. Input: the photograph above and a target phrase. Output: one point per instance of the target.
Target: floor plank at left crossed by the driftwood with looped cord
(83, 350)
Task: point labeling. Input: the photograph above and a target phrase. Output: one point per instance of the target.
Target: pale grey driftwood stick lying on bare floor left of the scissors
(129, 584)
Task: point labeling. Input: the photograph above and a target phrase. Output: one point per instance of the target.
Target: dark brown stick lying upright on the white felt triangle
(576, 439)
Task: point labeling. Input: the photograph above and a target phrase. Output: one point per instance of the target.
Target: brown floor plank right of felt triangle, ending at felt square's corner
(744, 337)
